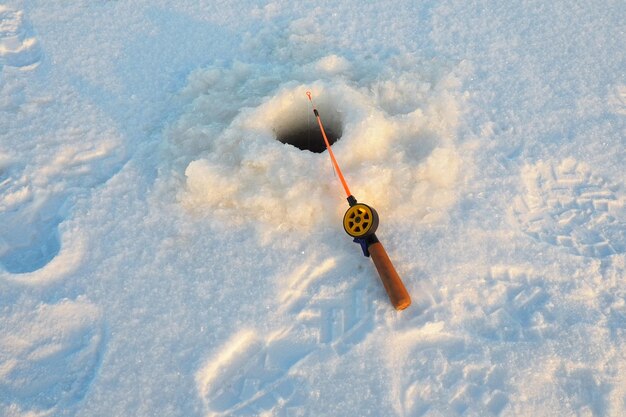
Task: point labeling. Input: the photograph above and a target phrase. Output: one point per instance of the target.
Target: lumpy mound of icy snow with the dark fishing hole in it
(239, 171)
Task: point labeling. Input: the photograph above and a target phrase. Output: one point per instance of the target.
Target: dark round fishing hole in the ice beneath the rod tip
(298, 127)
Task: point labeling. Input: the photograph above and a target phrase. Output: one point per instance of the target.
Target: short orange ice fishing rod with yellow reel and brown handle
(361, 222)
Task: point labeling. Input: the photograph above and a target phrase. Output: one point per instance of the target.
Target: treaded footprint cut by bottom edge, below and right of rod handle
(443, 375)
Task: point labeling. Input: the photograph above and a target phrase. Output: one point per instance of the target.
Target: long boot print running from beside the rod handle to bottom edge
(252, 374)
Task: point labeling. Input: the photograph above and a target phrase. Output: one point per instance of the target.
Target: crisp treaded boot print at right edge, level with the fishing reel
(567, 206)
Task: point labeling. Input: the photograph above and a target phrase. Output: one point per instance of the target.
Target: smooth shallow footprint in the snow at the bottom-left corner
(49, 356)
